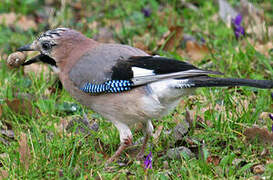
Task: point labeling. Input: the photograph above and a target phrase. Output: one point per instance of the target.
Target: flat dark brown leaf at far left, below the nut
(21, 106)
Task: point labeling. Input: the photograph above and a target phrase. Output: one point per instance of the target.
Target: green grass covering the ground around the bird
(56, 153)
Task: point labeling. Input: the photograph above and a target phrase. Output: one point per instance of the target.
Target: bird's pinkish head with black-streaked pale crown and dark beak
(56, 45)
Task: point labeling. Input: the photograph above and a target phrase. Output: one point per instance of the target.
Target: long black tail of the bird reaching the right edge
(206, 81)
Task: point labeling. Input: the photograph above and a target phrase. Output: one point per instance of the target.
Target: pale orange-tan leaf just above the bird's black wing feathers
(195, 51)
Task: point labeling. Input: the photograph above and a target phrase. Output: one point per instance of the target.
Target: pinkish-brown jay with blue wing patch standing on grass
(122, 83)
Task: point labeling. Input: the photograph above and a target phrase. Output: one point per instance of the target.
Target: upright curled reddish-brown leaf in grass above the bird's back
(174, 38)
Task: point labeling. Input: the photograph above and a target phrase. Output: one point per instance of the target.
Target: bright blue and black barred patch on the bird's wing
(112, 86)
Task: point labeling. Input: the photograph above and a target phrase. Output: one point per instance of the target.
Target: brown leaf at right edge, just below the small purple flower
(262, 134)
